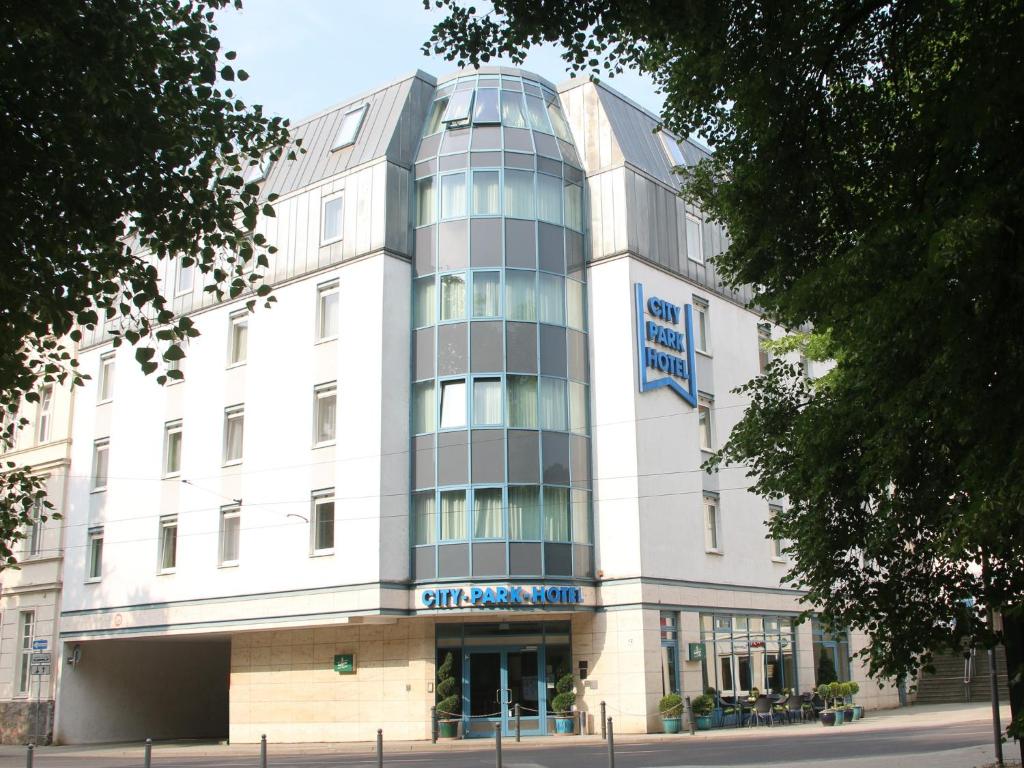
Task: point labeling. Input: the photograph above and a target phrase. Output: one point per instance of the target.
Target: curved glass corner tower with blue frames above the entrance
(500, 391)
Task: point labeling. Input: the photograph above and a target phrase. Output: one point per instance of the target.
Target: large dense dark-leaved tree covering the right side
(867, 163)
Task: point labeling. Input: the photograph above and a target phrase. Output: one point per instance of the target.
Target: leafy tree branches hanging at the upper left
(122, 147)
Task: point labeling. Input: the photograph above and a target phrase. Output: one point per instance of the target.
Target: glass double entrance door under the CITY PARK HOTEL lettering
(496, 680)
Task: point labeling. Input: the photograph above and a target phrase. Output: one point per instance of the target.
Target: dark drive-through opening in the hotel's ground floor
(131, 691)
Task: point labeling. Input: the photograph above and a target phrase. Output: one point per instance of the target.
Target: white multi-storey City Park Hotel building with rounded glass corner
(437, 443)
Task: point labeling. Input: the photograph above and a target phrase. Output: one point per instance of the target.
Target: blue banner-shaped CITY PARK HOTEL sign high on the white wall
(665, 347)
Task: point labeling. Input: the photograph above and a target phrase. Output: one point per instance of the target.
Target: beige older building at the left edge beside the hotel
(30, 594)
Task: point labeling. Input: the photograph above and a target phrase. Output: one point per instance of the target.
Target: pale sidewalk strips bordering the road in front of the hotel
(876, 722)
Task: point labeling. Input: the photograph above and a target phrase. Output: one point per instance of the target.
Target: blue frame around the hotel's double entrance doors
(503, 701)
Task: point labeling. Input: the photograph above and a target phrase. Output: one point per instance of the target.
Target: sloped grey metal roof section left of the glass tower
(391, 130)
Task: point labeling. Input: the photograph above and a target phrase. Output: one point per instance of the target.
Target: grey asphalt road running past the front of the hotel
(802, 743)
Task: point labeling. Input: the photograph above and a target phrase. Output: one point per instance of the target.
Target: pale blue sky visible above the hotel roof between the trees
(306, 56)
